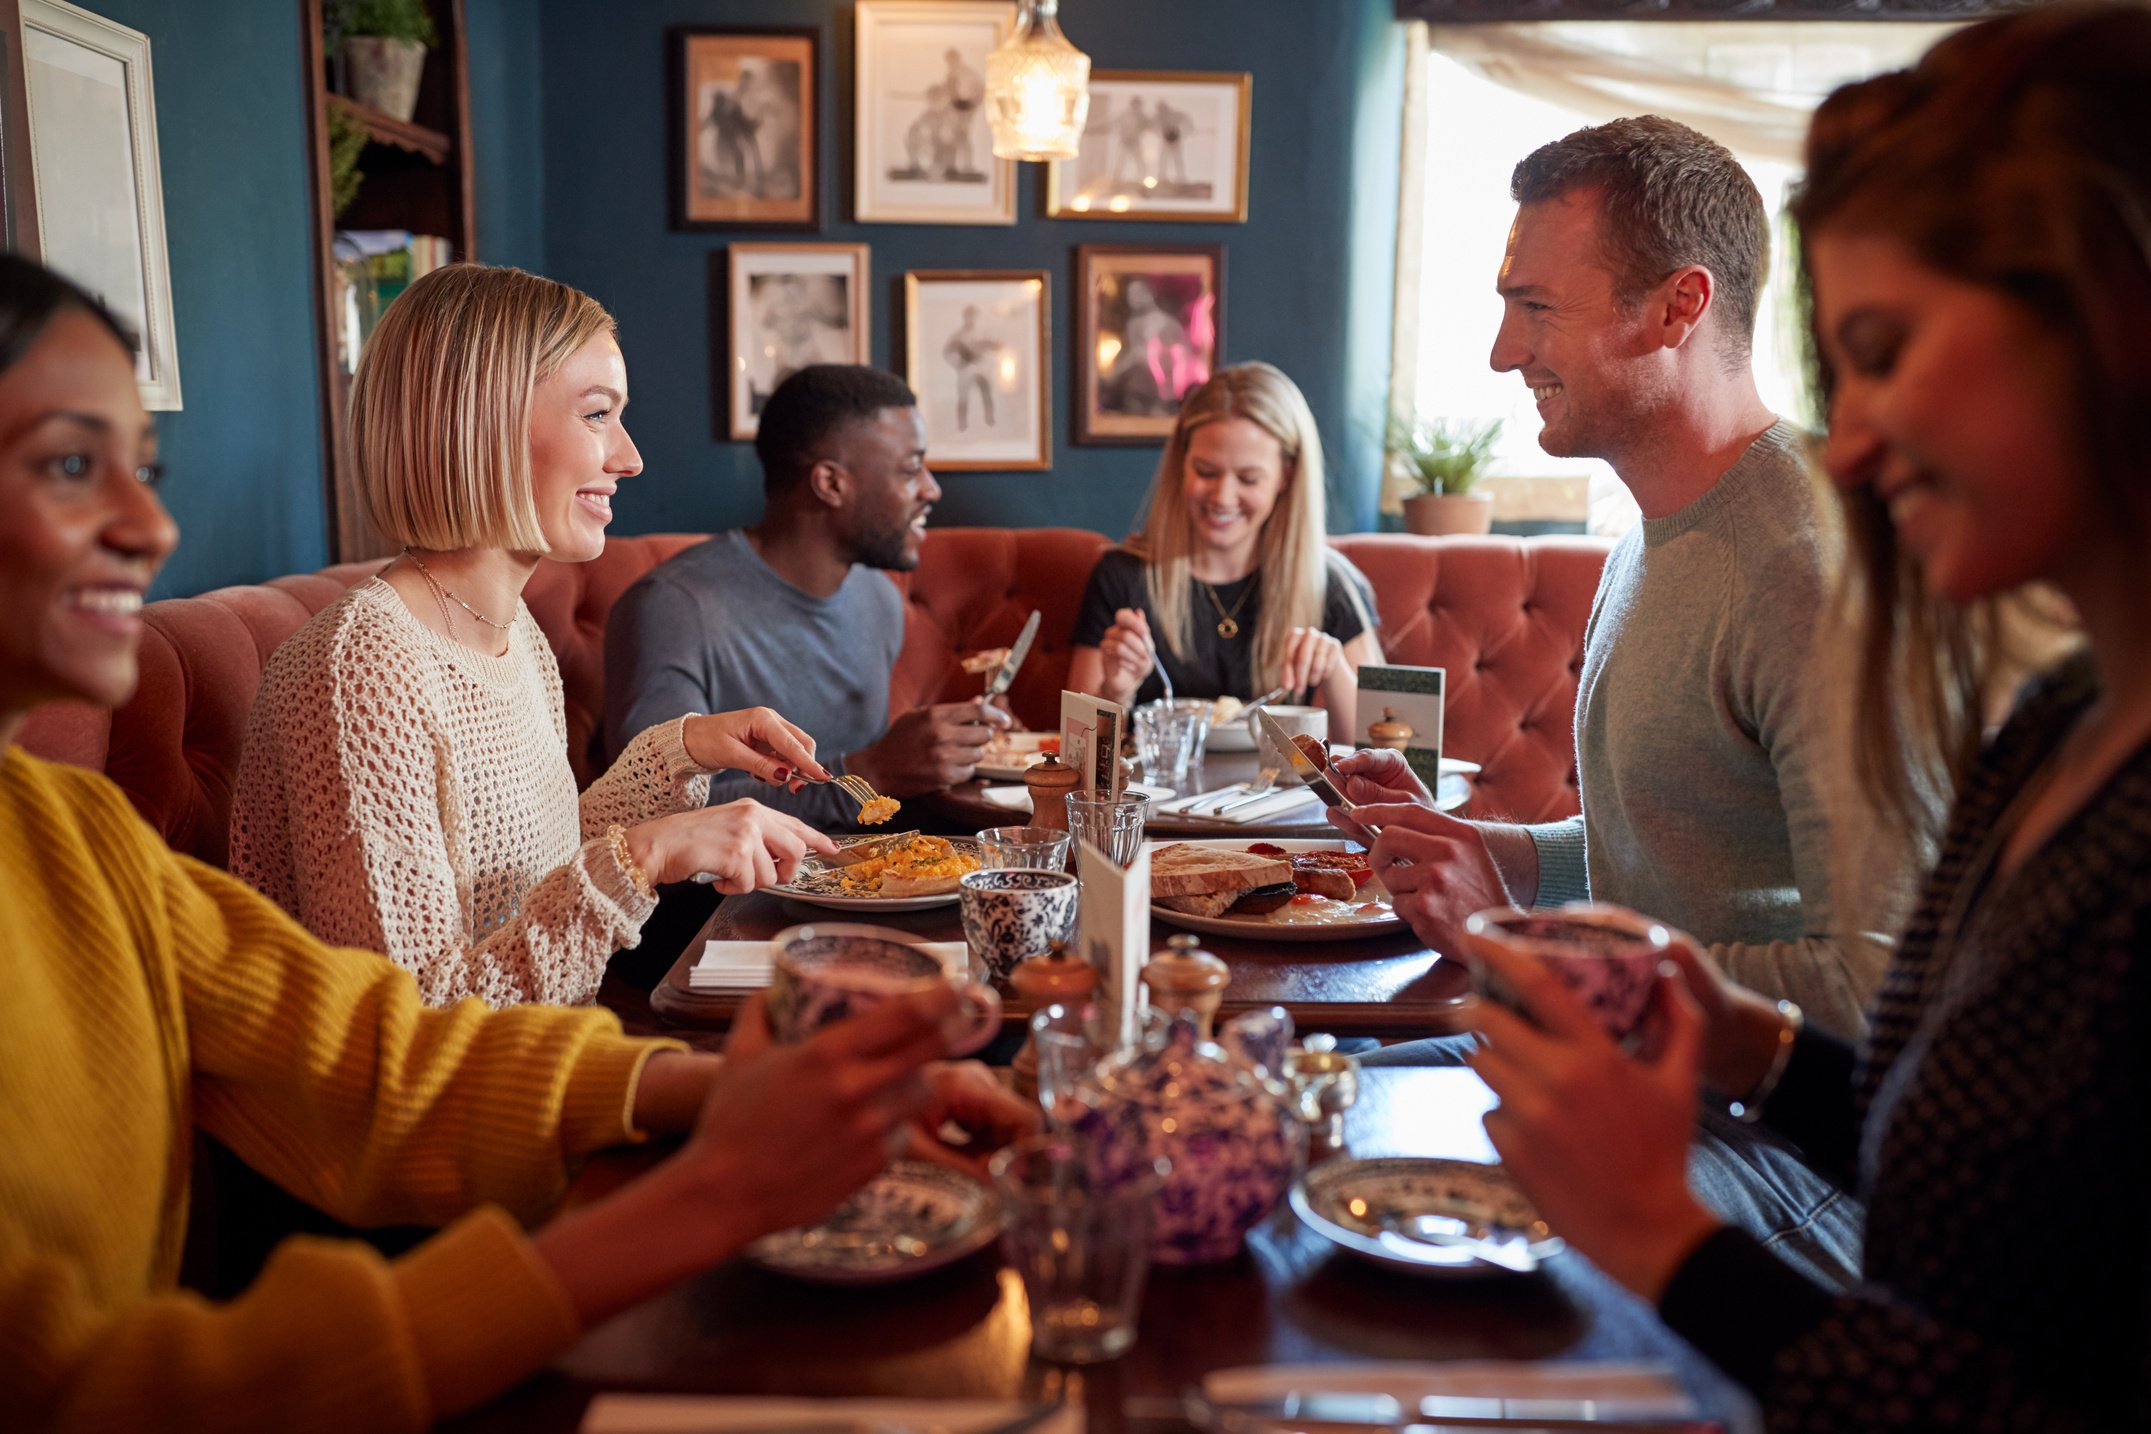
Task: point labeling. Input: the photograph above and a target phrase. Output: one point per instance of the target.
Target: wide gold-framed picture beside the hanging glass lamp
(1160, 145)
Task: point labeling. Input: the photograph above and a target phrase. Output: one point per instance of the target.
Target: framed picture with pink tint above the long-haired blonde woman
(1150, 328)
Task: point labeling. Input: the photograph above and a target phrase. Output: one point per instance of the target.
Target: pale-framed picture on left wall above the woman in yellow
(89, 195)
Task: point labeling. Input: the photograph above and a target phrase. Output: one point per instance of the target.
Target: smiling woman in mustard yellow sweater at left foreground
(152, 996)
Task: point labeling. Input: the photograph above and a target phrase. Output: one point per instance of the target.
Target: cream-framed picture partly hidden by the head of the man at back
(788, 306)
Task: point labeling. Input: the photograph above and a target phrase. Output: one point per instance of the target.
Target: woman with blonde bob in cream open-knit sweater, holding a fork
(405, 779)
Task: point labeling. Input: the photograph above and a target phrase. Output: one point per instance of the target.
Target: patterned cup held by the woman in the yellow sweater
(834, 971)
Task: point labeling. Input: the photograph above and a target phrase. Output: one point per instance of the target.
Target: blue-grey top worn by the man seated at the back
(715, 629)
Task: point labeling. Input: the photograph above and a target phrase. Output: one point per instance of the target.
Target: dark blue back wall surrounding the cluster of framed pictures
(1307, 278)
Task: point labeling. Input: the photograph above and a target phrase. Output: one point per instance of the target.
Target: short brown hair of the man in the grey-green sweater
(1670, 197)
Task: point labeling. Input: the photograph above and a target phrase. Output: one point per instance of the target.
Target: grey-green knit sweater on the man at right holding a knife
(1703, 756)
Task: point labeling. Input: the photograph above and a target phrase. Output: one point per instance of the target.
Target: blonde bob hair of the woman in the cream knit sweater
(442, 405)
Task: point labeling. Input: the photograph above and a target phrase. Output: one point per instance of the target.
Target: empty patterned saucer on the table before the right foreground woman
(1348, 1201)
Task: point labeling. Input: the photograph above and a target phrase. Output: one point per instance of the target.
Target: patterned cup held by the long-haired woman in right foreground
(1606, 953)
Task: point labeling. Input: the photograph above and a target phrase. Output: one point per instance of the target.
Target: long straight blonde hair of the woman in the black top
(1294, 556)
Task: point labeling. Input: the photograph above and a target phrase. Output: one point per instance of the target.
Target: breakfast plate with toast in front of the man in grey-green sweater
(1270, 891)
